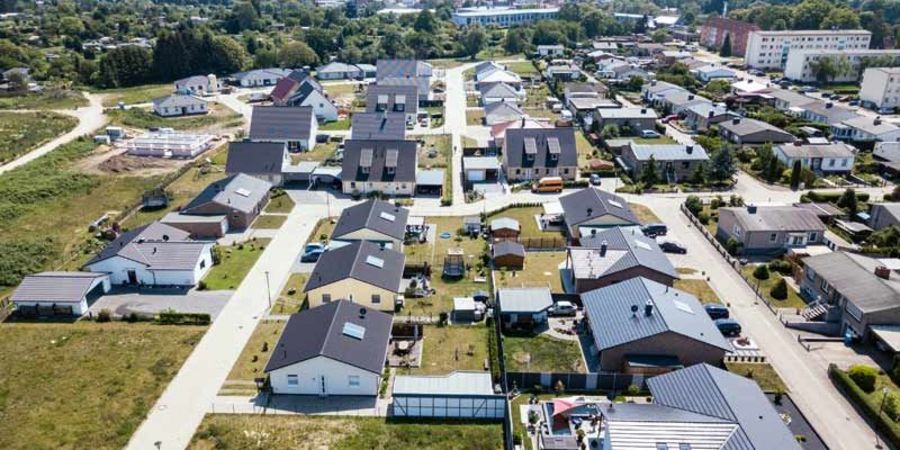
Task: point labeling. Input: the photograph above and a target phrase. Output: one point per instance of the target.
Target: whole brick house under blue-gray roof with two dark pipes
(640, 326)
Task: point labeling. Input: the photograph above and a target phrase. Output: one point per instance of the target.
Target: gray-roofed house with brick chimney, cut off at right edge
(859, 293)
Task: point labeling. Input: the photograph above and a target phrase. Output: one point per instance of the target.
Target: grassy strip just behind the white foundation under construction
(219, 116)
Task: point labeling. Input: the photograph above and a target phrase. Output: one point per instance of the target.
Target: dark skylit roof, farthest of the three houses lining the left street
(376, 215)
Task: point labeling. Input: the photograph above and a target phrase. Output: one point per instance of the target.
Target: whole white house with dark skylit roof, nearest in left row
(339, 348)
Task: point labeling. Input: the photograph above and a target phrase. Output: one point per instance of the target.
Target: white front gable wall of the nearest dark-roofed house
(324, 376)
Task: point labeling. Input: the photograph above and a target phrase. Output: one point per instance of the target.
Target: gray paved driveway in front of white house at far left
(149, 302)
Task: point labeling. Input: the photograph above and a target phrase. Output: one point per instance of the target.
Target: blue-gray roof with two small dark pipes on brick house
(613, 323)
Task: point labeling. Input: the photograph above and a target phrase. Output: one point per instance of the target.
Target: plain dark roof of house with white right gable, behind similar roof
(279, 123)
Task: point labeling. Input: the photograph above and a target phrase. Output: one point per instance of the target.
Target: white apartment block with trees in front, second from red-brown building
(800, 63)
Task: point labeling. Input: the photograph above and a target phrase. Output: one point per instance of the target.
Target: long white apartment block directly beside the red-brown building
(770, 49)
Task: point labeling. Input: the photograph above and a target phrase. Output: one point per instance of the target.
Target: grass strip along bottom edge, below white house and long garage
(345, 433)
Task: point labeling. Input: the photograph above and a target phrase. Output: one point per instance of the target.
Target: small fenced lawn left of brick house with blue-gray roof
(542, 354)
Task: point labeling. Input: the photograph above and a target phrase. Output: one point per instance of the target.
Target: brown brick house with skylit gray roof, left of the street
(237, 198)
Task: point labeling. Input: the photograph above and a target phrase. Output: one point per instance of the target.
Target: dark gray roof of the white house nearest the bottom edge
(320, 332)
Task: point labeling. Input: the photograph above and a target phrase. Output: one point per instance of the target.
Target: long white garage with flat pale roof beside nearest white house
(466, 395)
